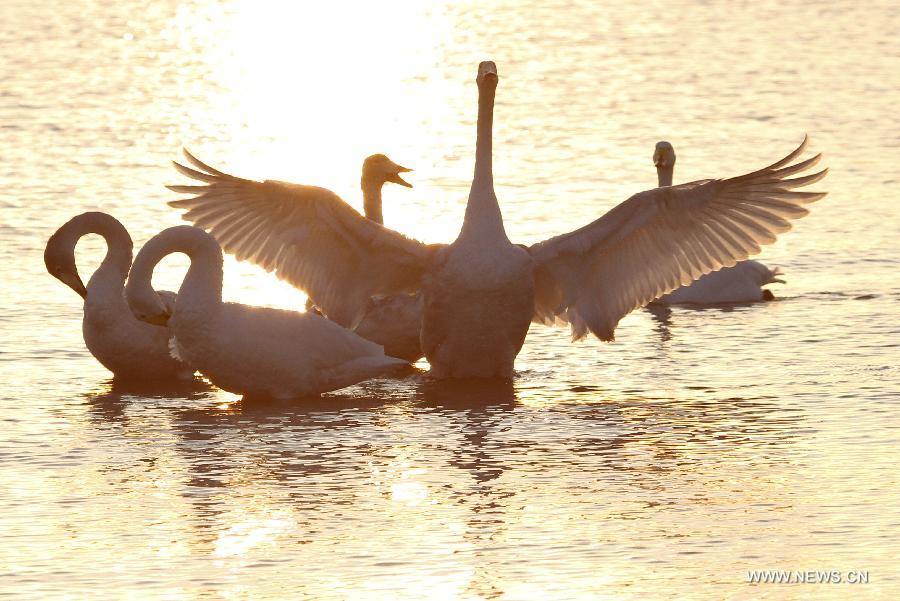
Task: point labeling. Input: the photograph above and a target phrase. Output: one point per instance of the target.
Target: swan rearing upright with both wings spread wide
(481, 292)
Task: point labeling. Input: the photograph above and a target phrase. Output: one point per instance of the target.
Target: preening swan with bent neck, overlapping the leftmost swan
(247, 350)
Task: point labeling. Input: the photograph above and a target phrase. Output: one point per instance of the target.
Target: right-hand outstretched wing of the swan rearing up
(664, 238)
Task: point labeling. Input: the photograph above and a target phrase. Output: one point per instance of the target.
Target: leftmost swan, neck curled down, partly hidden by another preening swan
(125, 346)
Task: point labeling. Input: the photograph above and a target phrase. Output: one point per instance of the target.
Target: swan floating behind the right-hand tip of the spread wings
(740, 283)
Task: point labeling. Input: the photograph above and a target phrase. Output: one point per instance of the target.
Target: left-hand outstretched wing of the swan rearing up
(306, 235)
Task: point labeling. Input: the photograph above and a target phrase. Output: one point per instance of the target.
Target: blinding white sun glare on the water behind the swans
(305, 95)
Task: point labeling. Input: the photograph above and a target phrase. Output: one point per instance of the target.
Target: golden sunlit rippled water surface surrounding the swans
(701, 445)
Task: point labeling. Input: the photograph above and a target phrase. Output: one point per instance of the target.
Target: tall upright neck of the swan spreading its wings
(483, 219)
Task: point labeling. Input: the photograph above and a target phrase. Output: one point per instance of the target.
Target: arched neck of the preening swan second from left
(200, 294)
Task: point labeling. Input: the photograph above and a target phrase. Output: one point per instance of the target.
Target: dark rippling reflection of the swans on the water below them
(457, 466)
